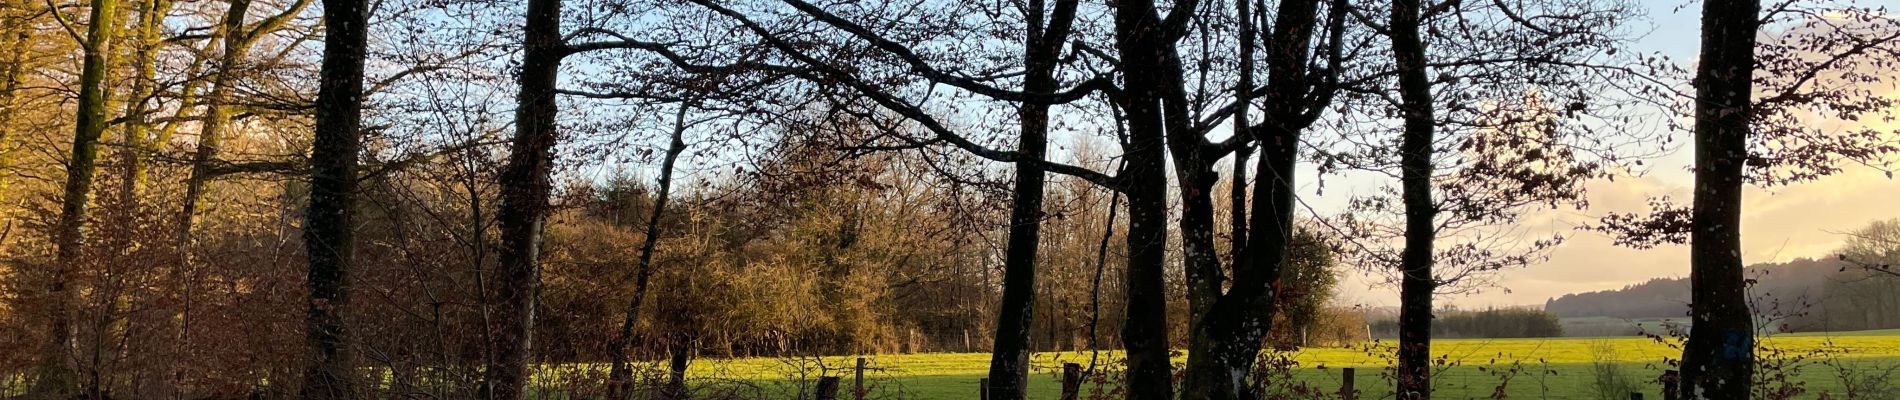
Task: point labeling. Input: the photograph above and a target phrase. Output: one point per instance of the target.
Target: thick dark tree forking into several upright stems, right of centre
(1304, 67)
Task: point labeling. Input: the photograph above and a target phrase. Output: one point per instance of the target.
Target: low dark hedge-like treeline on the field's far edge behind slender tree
(1485, 325)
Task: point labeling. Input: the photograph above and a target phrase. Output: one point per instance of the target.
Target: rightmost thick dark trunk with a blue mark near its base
(1719, 361)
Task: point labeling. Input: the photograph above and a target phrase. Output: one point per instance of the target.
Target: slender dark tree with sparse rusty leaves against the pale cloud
(1500, 109)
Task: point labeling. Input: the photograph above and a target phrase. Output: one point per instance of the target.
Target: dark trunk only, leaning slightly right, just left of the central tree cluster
(1010, 354)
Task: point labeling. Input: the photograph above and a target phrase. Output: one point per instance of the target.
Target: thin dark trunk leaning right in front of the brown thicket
(620, 378)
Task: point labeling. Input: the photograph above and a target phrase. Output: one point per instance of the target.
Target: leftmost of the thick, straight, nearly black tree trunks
(333, 179)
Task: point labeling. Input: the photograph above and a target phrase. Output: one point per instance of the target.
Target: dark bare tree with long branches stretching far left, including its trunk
(1048, 31)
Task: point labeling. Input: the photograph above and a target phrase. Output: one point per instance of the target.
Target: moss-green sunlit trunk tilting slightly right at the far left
(56, 359)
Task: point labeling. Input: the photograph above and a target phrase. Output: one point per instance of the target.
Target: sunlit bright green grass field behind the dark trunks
(1475, 369)
